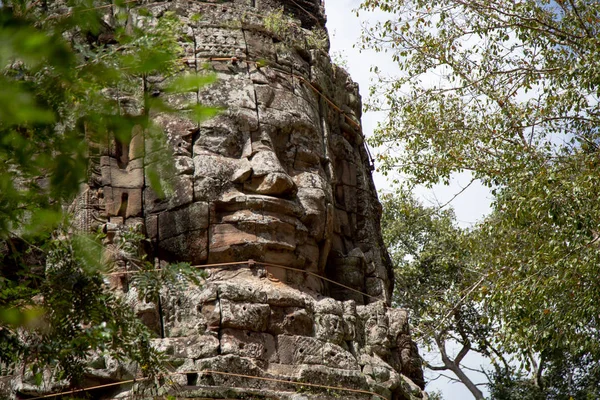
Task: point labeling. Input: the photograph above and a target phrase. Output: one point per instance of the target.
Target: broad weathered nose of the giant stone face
(269, 177)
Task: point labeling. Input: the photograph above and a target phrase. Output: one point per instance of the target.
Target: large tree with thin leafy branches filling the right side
(507, 91)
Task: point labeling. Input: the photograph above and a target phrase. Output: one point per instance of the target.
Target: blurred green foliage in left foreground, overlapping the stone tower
(59, 62)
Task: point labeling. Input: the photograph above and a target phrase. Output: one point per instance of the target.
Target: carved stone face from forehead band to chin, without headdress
(259, 173)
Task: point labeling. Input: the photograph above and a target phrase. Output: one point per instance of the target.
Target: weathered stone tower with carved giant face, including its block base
(280, 182)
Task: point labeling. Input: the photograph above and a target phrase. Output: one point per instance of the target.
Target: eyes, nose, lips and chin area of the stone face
(267, 188)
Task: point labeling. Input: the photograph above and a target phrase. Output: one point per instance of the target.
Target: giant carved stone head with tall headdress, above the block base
(280, 176)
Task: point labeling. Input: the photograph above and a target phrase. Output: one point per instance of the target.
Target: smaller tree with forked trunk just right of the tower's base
(432, 269)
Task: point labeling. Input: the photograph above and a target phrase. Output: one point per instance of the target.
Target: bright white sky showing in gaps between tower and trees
(345, 29)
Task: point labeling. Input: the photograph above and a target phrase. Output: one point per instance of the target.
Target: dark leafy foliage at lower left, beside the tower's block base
(66, 316)
